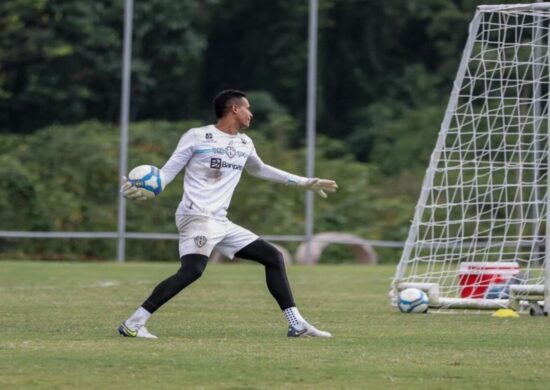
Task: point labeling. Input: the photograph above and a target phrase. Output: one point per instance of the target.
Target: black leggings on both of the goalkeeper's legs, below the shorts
(192, 267)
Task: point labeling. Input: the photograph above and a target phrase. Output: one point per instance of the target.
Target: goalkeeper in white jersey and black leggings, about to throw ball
(213, 157)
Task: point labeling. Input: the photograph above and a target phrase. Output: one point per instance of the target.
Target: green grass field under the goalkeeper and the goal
(58, 331)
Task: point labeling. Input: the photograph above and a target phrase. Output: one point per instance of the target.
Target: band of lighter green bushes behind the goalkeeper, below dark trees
(64, 178)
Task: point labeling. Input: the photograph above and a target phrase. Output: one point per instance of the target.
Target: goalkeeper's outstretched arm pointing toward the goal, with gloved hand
(256, 167)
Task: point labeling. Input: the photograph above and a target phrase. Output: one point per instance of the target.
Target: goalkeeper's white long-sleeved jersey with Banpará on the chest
(213, 162)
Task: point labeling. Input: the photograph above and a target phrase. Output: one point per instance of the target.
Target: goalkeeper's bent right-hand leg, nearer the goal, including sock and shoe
(279, 287)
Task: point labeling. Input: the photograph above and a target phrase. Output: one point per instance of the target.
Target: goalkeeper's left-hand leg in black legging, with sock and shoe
(192, 267)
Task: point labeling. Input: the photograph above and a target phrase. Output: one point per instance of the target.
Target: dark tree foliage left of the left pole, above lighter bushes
(58, 61)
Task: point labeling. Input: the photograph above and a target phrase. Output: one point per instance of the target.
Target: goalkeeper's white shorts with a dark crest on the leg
(201, 235)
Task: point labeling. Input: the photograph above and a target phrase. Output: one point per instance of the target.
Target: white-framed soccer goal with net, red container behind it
(479, 233)
